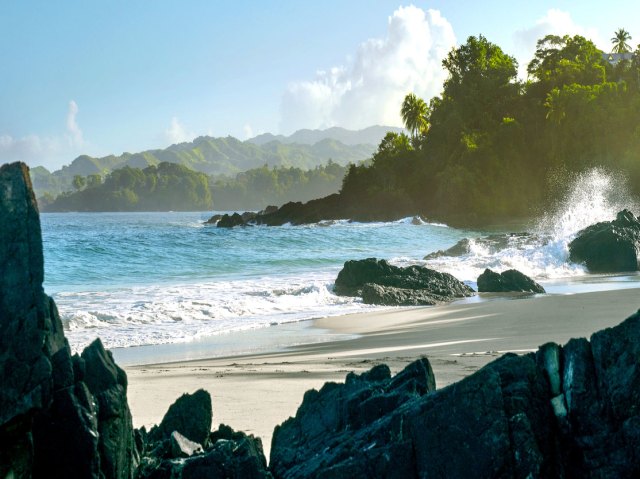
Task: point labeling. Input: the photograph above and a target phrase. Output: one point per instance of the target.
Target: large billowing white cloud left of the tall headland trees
(369, 89)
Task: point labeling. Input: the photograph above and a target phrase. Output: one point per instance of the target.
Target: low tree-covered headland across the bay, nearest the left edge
(166, 187)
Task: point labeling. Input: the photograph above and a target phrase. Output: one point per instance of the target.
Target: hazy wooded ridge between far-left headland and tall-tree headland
(259, 187)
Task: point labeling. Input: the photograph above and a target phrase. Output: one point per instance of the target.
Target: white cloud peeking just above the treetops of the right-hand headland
(555, 22)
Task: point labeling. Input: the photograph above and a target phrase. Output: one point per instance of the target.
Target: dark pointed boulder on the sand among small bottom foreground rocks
(190, 415)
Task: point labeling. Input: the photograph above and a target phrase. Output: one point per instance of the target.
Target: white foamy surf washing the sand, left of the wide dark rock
(160, 314)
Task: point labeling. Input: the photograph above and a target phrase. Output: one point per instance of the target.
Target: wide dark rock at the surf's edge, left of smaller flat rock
(379, 282)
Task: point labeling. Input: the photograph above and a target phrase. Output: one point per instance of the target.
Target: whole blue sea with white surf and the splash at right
(136, 279)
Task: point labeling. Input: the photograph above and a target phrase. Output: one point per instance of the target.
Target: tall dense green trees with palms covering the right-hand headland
(492, 147)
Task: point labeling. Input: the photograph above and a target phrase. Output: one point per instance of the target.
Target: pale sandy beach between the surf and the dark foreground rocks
(254, 392)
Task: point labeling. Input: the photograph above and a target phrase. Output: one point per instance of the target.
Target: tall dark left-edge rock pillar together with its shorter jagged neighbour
(59, 416)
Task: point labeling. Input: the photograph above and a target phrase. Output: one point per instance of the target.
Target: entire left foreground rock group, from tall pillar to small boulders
(64, 416)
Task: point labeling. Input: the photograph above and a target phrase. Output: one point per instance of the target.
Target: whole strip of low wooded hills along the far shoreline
(175, 187)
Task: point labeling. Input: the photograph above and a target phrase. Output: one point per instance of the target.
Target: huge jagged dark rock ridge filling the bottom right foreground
(564, 411)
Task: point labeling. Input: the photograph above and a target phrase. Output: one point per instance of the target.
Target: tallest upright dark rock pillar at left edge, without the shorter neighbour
(31, 330)
